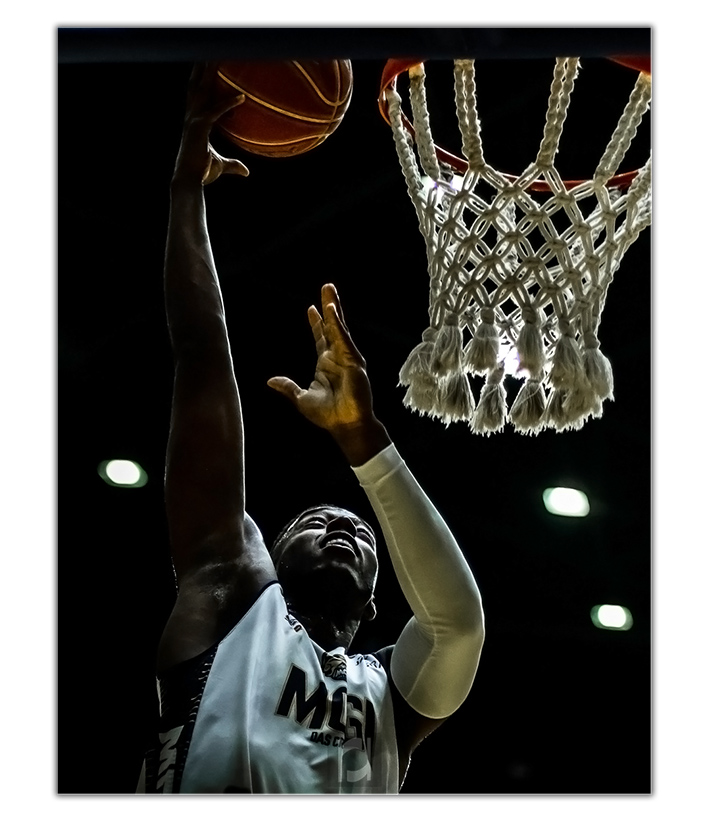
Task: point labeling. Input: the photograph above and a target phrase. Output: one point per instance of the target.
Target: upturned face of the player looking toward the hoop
(332, 539)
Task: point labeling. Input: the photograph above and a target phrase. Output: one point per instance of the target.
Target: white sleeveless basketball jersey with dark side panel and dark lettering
(267, 710)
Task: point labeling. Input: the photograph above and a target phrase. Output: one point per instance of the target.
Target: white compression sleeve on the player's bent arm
(436, 657)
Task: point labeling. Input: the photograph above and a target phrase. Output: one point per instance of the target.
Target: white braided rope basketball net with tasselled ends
(512, 276)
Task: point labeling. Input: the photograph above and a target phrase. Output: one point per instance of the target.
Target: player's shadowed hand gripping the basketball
(197, 160)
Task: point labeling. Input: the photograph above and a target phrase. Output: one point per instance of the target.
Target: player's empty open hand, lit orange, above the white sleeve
(340, 396)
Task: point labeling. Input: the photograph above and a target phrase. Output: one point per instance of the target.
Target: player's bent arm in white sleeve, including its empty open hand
(434, 662)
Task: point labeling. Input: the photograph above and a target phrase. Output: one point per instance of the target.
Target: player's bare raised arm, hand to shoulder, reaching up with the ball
(218, 553)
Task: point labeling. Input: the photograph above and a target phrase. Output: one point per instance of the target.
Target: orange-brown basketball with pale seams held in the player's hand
(290, 106)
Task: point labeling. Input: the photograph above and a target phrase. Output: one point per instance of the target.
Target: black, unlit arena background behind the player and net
(558, 706)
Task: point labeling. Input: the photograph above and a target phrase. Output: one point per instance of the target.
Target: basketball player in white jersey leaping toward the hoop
(259, 692)
